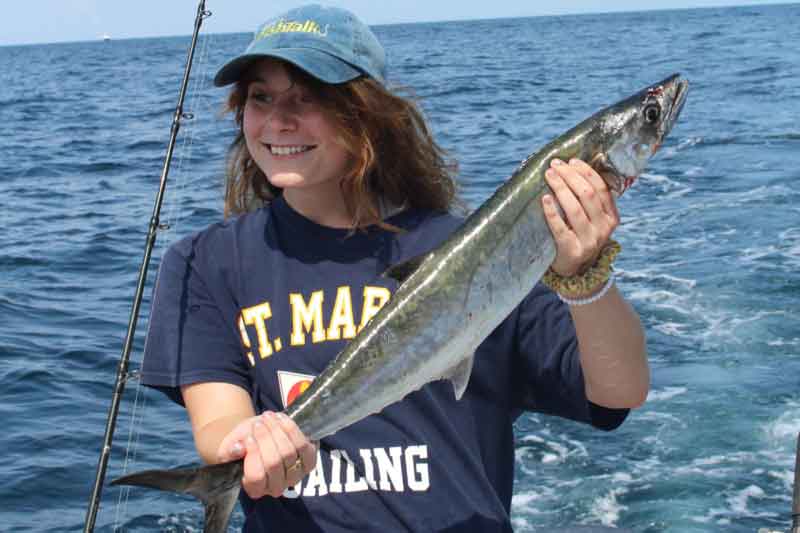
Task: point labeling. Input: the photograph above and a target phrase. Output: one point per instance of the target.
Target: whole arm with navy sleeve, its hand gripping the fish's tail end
(193, 340)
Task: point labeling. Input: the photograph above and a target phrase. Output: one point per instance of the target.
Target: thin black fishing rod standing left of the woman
(122, 369)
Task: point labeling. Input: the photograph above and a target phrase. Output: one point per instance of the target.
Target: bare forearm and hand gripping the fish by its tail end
(226, 427)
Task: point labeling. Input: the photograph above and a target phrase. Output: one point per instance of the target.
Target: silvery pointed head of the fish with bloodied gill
(632, 131)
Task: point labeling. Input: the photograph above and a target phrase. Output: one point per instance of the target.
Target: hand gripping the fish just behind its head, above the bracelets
(590, 211)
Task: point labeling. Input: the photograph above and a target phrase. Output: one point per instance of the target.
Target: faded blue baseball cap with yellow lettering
(329, 43)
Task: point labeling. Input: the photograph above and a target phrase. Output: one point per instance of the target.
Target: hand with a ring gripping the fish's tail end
(276, 453)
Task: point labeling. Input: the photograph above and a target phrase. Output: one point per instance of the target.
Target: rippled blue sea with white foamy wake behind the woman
(710, 234)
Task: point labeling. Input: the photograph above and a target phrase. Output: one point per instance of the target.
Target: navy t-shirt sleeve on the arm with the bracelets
(548, 369)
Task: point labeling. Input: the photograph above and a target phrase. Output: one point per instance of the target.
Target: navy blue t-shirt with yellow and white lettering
(266, 300)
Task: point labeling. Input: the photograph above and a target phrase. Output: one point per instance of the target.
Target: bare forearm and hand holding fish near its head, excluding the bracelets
(610, 337)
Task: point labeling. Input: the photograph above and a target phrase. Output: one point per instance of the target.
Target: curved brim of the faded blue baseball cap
(321, 65)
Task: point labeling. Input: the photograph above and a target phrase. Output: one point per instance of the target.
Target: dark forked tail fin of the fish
(217, 486)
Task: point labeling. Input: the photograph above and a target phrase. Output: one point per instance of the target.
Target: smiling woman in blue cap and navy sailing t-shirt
(332, 179)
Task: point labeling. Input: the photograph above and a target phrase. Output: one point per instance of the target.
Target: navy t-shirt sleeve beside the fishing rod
(192, 335)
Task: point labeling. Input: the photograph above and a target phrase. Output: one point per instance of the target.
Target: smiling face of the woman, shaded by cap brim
(290, 138)
